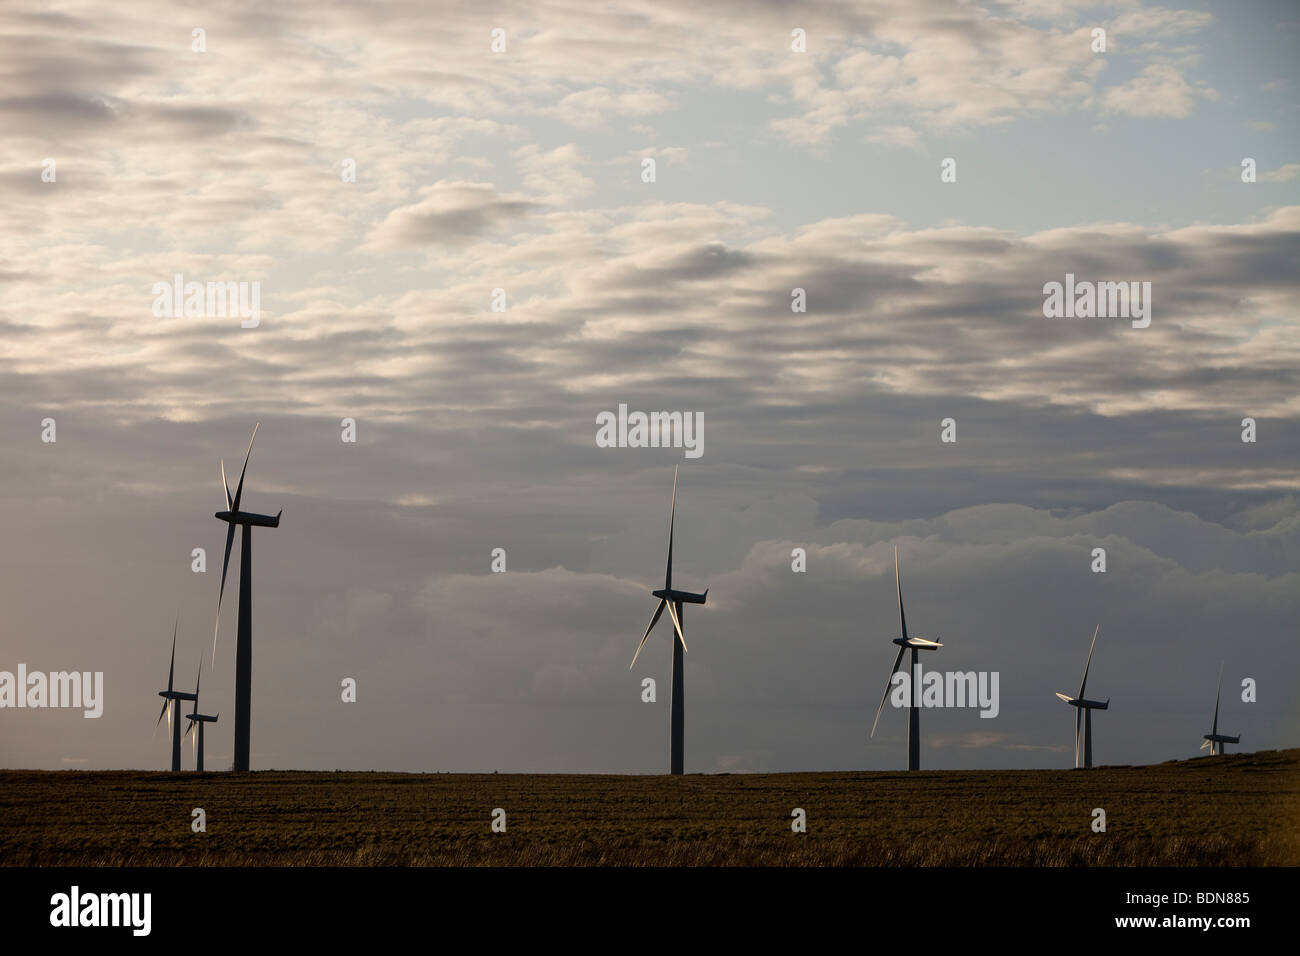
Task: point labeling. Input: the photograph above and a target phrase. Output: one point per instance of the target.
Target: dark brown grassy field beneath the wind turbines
(1242, 810)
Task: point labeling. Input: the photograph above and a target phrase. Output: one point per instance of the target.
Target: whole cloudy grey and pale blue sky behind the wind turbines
(136, 150)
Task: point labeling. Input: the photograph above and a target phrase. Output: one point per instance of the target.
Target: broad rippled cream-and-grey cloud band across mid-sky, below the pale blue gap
(946, 319)
